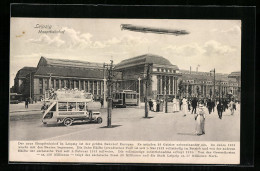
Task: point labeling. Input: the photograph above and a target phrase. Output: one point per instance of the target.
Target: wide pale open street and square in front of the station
(128, 124)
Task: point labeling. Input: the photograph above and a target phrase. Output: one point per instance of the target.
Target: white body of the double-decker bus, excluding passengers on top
(68, 112)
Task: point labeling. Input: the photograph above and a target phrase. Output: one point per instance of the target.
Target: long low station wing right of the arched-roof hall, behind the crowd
(201, 84)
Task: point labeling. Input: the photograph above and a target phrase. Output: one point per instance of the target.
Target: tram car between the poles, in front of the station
(125, 98)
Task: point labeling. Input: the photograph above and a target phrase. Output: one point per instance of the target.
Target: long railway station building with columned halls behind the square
(130, 74)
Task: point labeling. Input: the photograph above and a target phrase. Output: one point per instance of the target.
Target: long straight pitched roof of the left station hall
(68, 63)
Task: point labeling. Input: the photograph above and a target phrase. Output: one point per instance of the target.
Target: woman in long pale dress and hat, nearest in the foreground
(200, 121)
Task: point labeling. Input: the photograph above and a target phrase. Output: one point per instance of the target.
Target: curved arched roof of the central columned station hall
(145, 59)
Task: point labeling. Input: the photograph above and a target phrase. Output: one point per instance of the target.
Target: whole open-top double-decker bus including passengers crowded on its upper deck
(70, 106)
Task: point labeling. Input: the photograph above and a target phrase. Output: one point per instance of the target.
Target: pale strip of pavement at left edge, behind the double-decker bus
(20, 107)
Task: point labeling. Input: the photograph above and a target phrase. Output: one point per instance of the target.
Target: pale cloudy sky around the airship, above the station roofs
(209, 44)
